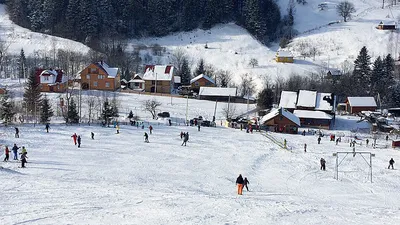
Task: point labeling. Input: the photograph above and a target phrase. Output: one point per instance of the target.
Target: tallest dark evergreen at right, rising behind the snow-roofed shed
(362, 72)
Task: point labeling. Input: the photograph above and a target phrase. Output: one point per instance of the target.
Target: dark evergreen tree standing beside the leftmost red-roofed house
(32, 95)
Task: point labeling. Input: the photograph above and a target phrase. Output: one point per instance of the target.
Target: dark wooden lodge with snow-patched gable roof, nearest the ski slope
(281, 120)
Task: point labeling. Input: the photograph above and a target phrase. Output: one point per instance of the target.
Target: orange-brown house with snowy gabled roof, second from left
(100, 76)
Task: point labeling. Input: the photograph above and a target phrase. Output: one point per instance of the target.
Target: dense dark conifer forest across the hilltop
(87, 20)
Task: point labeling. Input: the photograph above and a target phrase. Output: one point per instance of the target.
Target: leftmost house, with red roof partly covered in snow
(51, 80)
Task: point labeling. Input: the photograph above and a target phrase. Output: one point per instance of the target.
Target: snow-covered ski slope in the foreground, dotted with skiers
(119, 179)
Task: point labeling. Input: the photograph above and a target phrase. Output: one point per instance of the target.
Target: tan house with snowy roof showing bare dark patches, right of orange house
(159, 78)
